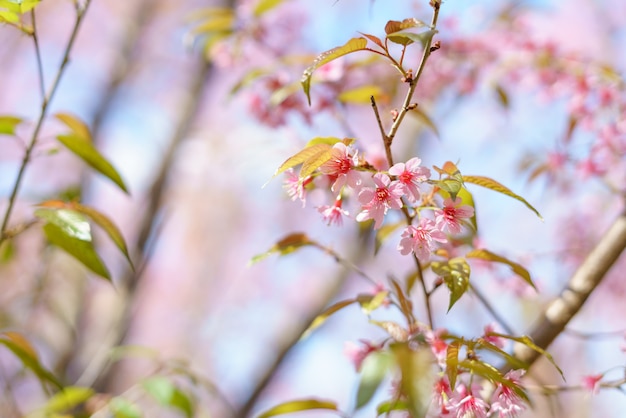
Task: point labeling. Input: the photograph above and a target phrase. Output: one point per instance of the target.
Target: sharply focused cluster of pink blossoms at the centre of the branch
(399, 188)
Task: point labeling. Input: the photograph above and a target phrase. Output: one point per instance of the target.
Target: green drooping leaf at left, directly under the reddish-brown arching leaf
(82, 250)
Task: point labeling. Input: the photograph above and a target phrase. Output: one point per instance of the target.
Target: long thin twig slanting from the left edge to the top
(44, 110)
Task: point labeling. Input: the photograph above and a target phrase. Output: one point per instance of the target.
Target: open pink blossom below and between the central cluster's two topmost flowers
(377, 201)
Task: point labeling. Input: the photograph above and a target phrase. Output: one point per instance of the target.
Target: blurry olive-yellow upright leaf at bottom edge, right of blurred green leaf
(417, 377)
